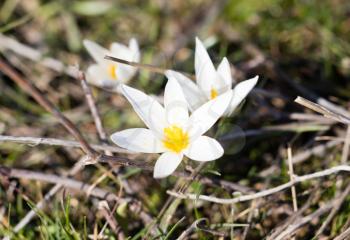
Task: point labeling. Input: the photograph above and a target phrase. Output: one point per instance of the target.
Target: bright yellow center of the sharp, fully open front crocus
(175, 139)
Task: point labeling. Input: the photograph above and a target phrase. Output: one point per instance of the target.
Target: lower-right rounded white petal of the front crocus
(204, 149)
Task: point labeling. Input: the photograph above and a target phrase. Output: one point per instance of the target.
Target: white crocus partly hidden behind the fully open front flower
(211, 82)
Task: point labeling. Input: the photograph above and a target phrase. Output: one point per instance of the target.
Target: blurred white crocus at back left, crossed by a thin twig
(108, 74)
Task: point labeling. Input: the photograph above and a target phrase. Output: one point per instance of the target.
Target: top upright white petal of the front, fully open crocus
(175, 103)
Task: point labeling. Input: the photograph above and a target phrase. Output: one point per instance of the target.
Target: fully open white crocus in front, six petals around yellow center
(171, 130)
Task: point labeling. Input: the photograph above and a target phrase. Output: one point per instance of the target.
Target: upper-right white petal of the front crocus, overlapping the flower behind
(205, 117)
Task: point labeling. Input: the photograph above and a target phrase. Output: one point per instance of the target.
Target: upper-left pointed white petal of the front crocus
(147, 108)
